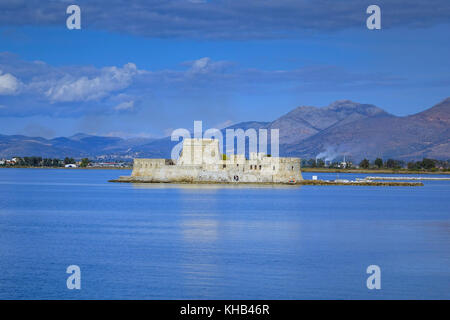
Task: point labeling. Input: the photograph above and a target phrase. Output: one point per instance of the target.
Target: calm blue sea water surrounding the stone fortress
(219, 242)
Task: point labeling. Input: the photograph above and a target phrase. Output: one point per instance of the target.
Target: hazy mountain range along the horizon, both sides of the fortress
(342, 128)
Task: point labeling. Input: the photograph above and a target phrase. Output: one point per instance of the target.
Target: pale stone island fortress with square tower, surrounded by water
(201, 161)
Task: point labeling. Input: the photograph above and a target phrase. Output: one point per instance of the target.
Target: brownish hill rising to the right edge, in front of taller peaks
(425, 134)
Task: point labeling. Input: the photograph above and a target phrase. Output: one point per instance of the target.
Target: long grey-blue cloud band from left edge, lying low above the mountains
(38, 88)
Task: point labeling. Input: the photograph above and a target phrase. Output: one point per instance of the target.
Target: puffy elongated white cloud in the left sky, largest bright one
(83, 88)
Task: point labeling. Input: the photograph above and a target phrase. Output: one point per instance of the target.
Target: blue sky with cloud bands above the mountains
(144, 68)
